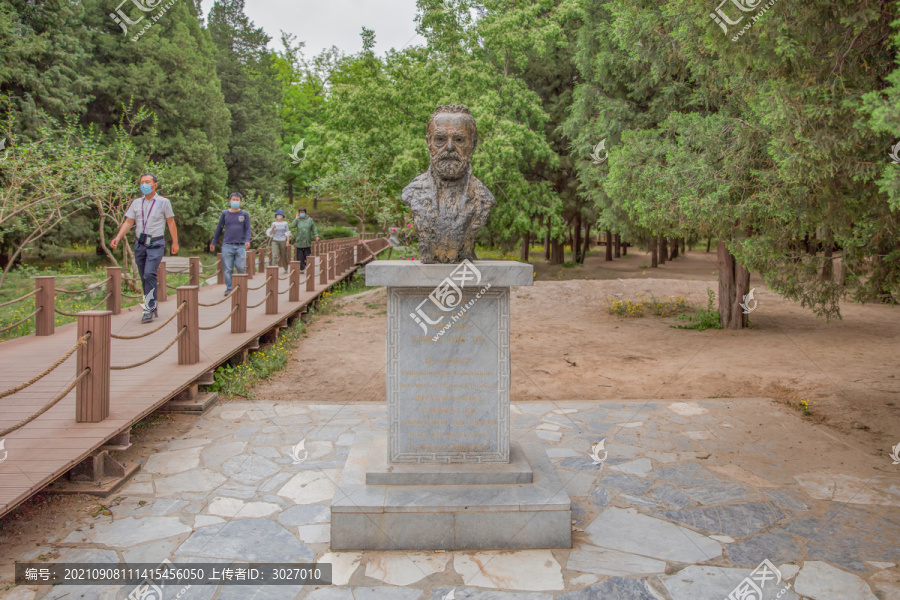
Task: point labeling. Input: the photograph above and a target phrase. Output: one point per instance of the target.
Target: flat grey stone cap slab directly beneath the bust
(399, 273)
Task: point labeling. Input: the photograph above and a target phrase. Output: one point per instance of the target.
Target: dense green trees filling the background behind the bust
(649, 121)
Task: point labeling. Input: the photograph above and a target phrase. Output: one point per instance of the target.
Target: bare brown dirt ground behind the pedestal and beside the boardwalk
(565, 346)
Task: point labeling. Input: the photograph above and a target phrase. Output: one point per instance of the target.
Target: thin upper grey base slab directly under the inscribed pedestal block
(380, 472)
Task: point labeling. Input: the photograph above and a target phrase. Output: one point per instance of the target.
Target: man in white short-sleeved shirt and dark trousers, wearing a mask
(152, 213)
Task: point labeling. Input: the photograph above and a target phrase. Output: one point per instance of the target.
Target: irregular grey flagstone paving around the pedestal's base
(674, 512)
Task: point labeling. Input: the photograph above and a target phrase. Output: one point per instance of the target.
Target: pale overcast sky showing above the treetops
(325, 23)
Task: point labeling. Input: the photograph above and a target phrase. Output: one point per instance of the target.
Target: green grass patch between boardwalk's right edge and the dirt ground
(241, 380)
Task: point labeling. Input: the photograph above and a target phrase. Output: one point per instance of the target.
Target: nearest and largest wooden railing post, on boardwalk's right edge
(92, 392)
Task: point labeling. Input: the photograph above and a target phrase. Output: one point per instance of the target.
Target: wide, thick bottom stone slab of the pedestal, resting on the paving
(450, 517)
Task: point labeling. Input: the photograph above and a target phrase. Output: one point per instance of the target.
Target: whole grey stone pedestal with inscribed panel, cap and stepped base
(446, 475)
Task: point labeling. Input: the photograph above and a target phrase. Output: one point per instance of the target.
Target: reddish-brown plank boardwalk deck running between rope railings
(46, 448)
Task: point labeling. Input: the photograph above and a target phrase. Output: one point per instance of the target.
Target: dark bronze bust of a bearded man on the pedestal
(448, 203)
